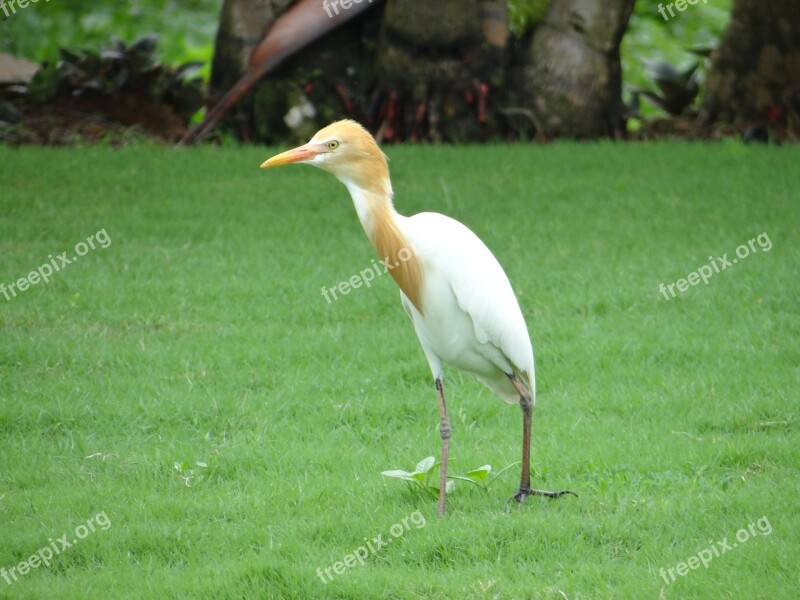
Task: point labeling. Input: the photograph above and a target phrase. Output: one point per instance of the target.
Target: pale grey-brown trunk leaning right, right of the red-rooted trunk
(571, 79)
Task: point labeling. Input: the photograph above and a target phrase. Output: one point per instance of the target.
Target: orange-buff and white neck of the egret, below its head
(384, 228)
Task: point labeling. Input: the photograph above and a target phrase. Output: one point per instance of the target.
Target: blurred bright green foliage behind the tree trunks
(186, 31)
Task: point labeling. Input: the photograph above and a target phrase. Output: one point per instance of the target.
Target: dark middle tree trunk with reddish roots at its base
(438, 63)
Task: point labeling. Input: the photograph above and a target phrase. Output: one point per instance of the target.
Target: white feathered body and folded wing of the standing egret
(472, 319)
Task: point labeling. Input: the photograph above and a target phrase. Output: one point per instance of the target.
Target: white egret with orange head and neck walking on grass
(452, 287)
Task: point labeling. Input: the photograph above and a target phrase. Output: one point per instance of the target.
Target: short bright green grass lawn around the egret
(189, 394)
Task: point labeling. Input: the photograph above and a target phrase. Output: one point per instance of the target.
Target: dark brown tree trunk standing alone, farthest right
(755, 73)
